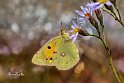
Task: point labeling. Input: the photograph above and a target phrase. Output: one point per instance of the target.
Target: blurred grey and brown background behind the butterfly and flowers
(25, 25)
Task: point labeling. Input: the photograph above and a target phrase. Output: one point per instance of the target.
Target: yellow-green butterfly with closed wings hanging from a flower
(59, 52)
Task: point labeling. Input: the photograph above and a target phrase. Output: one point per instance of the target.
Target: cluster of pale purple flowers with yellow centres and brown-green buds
(87, 12)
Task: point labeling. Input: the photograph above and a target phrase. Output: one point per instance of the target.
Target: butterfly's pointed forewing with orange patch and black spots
(45, 54)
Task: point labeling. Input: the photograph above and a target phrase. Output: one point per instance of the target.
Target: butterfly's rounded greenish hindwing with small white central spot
(67, 54)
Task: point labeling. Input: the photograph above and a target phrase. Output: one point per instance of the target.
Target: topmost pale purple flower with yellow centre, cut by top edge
(99, 4)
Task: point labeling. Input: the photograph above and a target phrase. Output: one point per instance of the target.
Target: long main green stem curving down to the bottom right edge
(109, 58)
